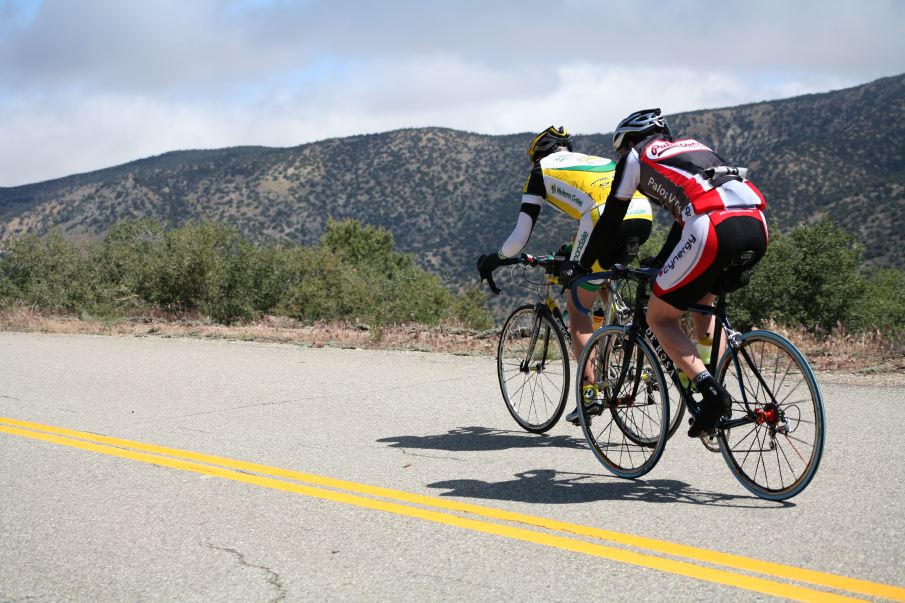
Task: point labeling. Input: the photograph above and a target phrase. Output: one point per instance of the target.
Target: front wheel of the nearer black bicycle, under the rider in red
(626, 424)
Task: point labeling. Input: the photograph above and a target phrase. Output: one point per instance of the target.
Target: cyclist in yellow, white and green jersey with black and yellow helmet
(578, 186)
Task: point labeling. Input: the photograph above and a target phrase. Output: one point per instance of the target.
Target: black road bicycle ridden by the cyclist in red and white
(773, 438)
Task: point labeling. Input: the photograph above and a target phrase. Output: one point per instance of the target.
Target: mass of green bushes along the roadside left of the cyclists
(354, 274)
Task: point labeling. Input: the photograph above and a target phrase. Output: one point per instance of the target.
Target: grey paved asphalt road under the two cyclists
(104, 500)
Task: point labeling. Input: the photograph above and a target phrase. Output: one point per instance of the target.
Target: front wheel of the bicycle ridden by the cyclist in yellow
(533, 368)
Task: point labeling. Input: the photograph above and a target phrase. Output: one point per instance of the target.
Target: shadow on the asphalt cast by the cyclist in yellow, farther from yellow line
(484, 439)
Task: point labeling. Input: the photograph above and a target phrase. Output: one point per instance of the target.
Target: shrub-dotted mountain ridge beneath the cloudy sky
(448, 195)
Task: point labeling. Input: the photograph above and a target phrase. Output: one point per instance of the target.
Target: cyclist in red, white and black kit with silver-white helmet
(718, 216)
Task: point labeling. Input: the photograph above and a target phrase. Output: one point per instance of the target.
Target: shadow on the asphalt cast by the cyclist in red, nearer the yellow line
(546, 486)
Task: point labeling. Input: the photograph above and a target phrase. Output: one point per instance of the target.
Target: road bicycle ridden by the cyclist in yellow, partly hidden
(533, 350)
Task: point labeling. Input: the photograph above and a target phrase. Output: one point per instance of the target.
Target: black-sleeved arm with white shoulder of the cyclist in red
(601, 242)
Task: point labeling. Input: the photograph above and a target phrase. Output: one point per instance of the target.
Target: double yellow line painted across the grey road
(682, 560)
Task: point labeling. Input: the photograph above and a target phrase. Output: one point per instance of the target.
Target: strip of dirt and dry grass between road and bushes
(858, 360)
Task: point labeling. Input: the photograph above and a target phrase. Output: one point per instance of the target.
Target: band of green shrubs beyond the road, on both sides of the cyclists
(812, 278)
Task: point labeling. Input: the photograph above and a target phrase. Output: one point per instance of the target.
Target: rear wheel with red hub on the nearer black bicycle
(775, 454)
